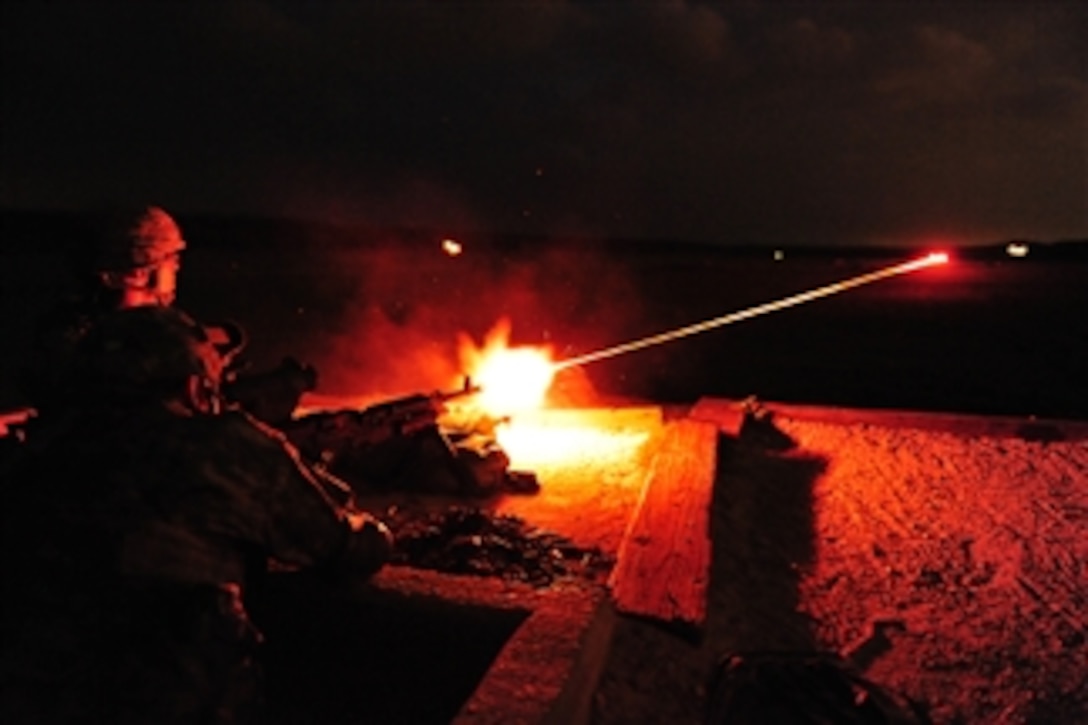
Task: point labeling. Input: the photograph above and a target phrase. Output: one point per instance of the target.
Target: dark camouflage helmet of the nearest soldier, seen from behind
(147, 352)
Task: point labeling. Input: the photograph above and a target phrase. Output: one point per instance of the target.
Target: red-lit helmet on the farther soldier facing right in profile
(131, 240)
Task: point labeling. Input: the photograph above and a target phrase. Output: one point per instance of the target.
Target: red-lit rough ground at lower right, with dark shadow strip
(946, 566)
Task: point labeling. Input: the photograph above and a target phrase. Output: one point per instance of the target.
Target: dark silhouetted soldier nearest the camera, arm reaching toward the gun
(133, 539)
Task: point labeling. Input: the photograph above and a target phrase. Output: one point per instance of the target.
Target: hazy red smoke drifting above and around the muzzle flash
(409, 305)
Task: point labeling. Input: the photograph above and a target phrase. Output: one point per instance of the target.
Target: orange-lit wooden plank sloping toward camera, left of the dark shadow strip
(663, 568)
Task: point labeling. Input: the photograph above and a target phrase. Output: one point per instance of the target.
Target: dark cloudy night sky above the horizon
(743, 122)
